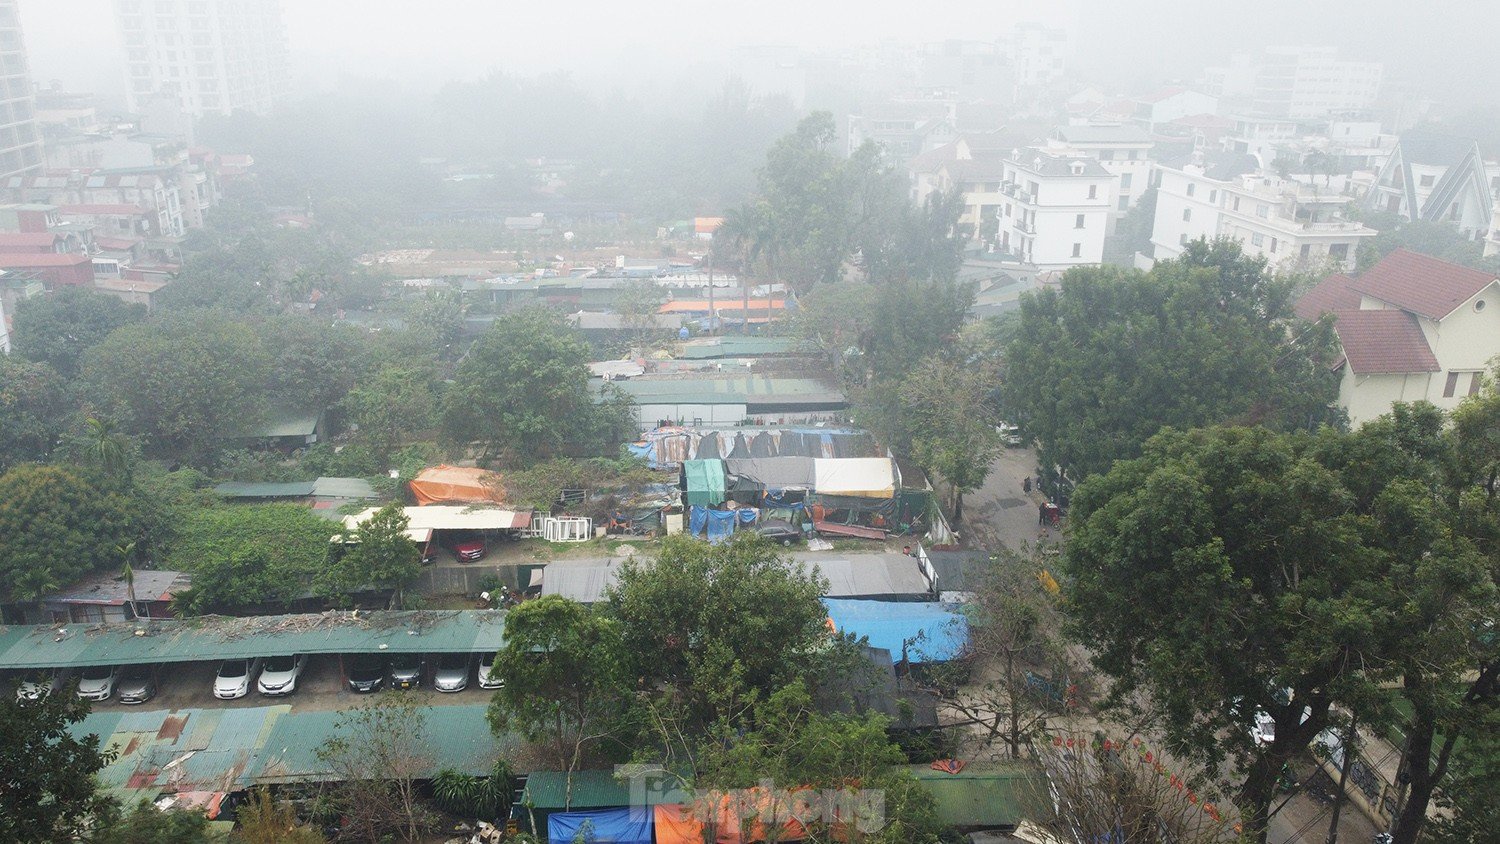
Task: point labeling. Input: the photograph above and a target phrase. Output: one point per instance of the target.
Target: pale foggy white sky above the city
(1445, 47)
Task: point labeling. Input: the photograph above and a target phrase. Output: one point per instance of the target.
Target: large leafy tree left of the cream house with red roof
(1112, 358)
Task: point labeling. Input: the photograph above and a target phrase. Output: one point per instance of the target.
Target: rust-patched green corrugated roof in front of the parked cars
(227, 750)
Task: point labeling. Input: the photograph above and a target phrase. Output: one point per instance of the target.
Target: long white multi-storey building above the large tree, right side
(1291, 224)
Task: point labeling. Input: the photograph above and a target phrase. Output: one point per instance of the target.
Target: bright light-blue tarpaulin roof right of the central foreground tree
(931, 632)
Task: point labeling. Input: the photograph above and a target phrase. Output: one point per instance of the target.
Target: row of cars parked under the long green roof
(274, 677)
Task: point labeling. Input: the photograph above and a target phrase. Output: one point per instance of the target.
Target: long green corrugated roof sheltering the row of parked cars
(221, 638)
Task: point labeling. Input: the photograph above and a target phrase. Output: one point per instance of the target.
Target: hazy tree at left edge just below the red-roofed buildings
(61, 328)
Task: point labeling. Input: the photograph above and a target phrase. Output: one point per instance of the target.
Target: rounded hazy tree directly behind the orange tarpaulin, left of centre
(523, 394)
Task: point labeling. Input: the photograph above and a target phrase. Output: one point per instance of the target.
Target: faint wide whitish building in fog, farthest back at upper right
(1297, 82)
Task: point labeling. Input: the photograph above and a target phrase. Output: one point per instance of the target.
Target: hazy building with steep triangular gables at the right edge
(1439, 179)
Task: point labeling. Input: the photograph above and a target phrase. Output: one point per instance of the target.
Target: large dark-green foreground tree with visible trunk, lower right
(1274, 557)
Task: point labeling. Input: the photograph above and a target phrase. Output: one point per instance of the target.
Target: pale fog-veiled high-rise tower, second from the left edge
(211, 56)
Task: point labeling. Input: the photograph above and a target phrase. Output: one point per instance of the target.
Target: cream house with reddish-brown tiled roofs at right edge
(1412, 329)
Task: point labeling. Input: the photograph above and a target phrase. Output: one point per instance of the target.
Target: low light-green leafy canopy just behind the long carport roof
(250, 555)
